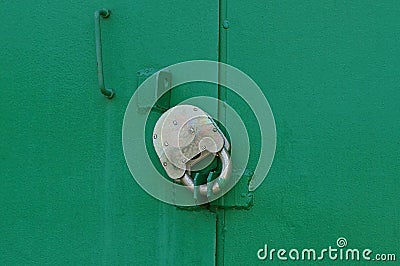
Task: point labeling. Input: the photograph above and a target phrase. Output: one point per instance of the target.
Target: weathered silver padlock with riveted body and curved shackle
(184, 136)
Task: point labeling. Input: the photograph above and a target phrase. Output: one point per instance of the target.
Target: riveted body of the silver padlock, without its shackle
(182, 133)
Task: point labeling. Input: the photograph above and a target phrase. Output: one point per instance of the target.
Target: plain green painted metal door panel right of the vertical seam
(330, 70)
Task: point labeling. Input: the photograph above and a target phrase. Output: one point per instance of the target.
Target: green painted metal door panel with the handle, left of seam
(66, 195)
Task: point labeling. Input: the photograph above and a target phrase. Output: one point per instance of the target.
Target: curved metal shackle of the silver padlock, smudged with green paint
(219, 182)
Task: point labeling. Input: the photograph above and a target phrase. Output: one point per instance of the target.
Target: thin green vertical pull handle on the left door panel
(104, 13)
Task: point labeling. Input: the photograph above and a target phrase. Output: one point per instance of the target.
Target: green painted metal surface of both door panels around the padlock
(329, 70)
